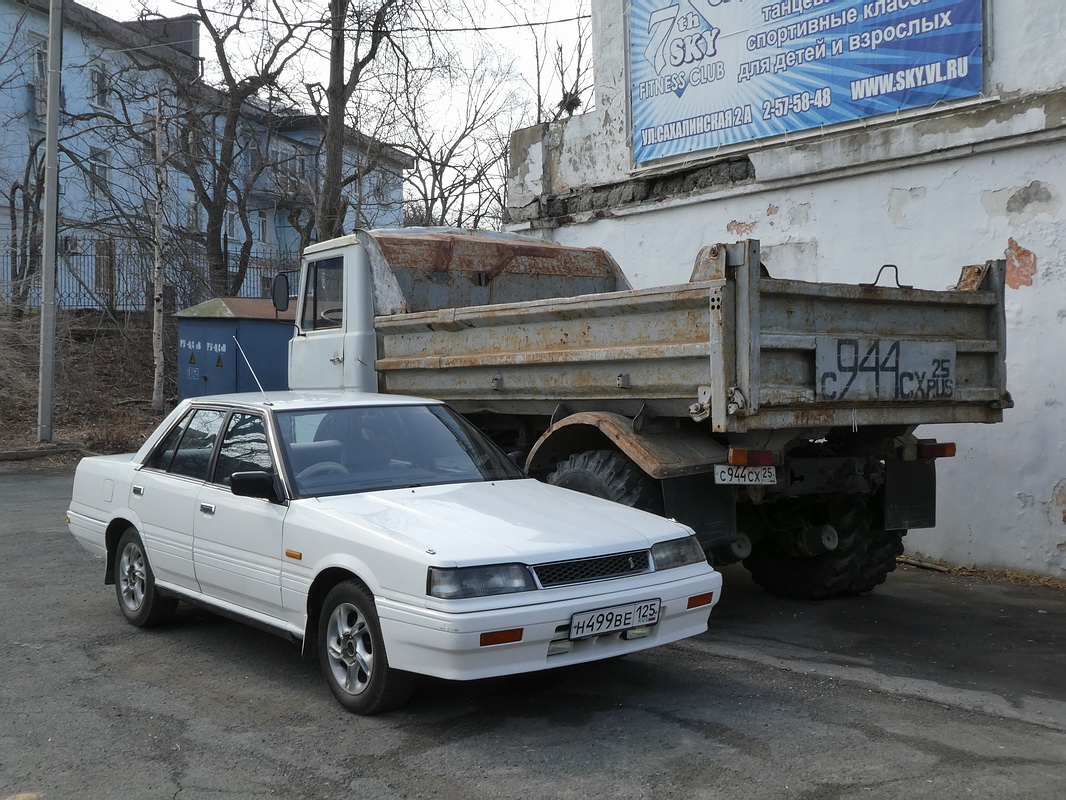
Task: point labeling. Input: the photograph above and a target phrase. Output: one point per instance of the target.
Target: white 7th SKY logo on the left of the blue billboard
(680, 38)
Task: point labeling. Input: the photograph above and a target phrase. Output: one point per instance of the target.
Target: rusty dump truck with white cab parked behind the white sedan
(776, 418)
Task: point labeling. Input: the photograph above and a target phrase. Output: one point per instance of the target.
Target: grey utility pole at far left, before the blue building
(47, 375)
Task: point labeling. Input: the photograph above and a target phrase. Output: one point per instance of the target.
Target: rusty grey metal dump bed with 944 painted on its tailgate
(733, 347)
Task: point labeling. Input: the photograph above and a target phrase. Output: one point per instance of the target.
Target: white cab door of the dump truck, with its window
(317, 351)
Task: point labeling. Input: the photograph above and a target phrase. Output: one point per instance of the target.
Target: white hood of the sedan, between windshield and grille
(523, 521)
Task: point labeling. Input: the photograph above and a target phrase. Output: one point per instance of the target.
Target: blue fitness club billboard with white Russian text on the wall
(706, 74)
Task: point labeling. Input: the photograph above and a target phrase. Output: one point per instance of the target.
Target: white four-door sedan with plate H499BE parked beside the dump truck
(387, 533)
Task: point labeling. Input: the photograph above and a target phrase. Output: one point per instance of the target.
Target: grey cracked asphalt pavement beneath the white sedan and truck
(932, 687)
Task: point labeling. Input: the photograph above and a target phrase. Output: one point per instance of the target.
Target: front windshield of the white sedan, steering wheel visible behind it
(332, 452)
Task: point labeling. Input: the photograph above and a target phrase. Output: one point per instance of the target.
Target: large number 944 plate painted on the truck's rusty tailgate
(899, 371)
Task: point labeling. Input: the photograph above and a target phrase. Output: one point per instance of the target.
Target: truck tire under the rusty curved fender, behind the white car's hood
(610, 475)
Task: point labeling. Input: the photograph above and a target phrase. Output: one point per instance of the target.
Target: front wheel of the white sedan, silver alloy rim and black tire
(352, 653)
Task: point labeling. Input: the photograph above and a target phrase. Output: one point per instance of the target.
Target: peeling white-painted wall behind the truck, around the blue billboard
(930, 194)
